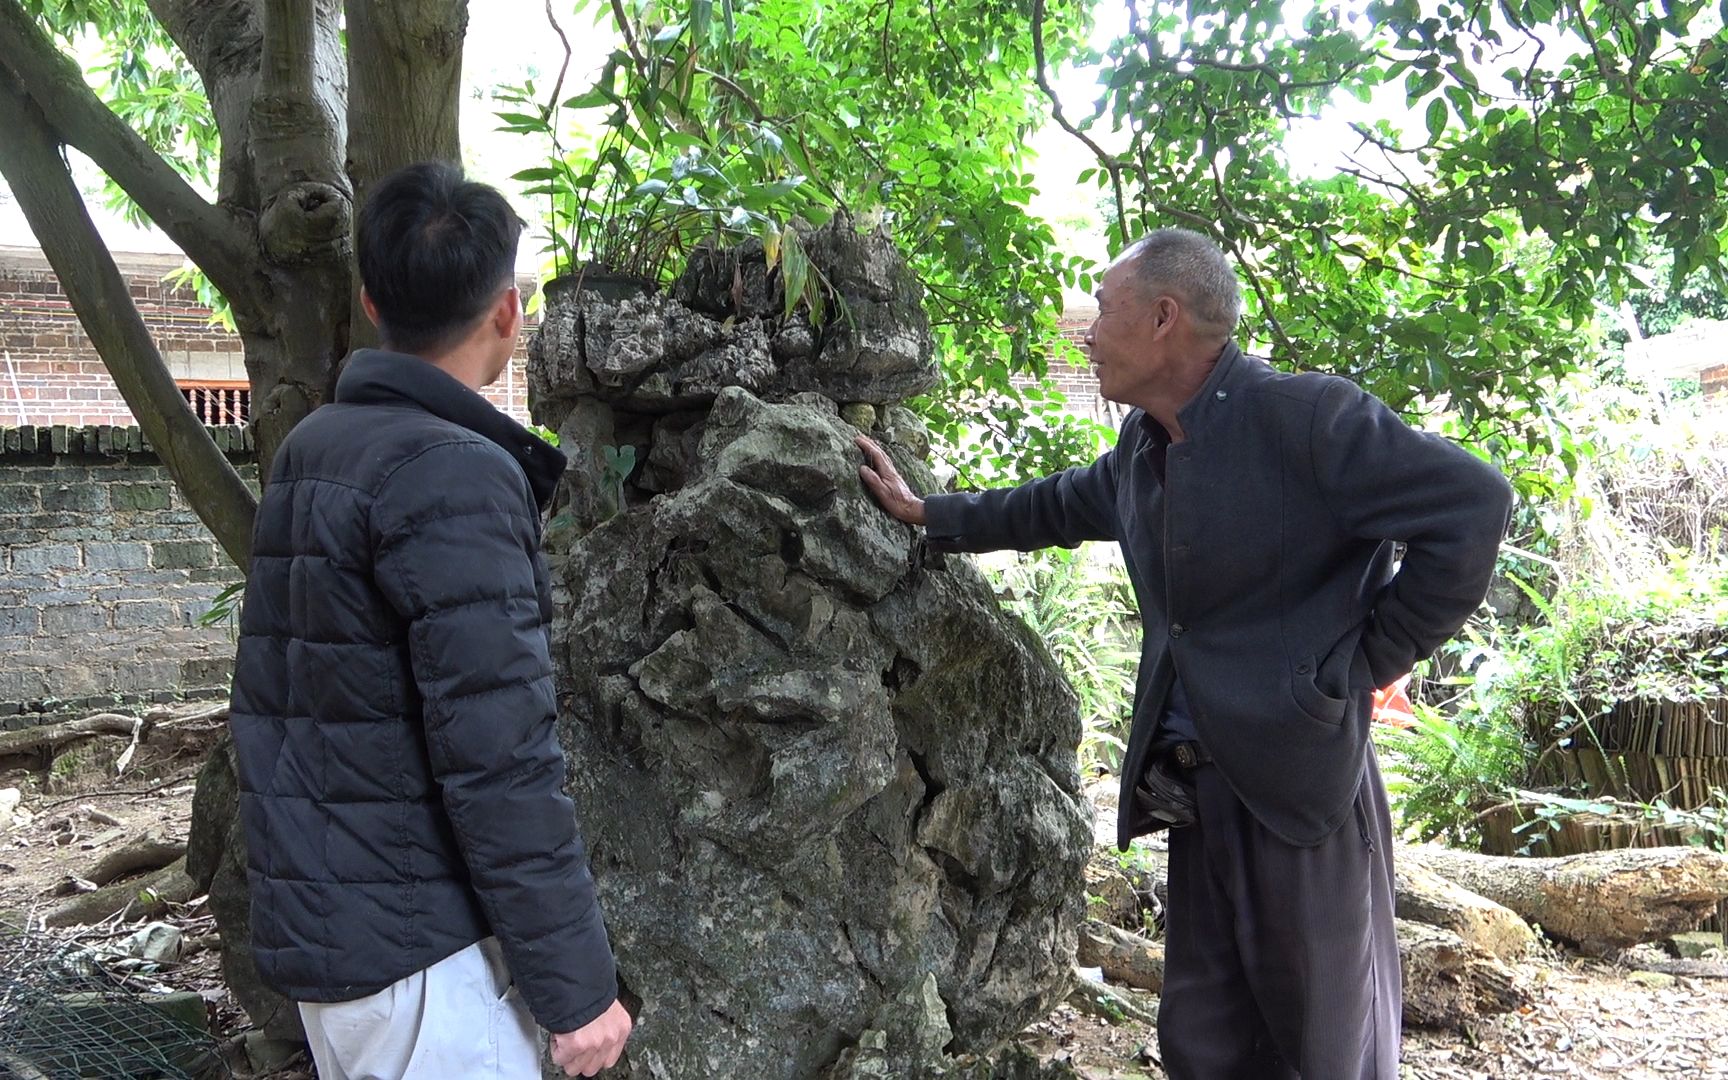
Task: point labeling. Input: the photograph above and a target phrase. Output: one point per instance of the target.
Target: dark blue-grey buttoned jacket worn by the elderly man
(1264, 569)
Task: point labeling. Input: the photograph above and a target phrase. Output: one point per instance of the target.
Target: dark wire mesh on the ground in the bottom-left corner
(65, 1017)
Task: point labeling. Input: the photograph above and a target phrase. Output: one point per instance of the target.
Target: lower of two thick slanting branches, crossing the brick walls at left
(32, 165)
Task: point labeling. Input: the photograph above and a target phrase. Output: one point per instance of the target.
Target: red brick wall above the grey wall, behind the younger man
(51, 374)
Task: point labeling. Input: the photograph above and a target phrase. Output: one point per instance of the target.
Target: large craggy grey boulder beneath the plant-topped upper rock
(830, 791)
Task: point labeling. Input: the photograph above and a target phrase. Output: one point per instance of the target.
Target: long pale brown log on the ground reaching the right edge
(1601, 901)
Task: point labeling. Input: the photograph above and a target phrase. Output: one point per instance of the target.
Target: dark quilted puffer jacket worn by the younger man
(402, 785)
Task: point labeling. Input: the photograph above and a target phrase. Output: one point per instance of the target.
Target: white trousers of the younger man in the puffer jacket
(459, 1019)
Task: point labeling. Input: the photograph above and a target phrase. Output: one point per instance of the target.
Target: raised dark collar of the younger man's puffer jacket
(397, 379)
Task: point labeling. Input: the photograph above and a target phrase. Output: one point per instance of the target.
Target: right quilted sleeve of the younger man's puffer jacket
(457, 547)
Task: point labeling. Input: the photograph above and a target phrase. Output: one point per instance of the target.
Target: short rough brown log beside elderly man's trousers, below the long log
(1451, 982)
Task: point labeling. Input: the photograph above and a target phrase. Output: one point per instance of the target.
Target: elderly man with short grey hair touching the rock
(1257, 514)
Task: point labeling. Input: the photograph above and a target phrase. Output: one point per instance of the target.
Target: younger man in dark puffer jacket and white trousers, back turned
(419, 884)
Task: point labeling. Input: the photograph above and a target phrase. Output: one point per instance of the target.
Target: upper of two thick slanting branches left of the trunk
(208, 234)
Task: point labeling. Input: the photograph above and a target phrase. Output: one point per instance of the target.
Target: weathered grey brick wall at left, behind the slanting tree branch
(105, 573)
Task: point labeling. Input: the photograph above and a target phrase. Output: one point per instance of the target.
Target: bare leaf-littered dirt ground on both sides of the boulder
(1591, 1019)
